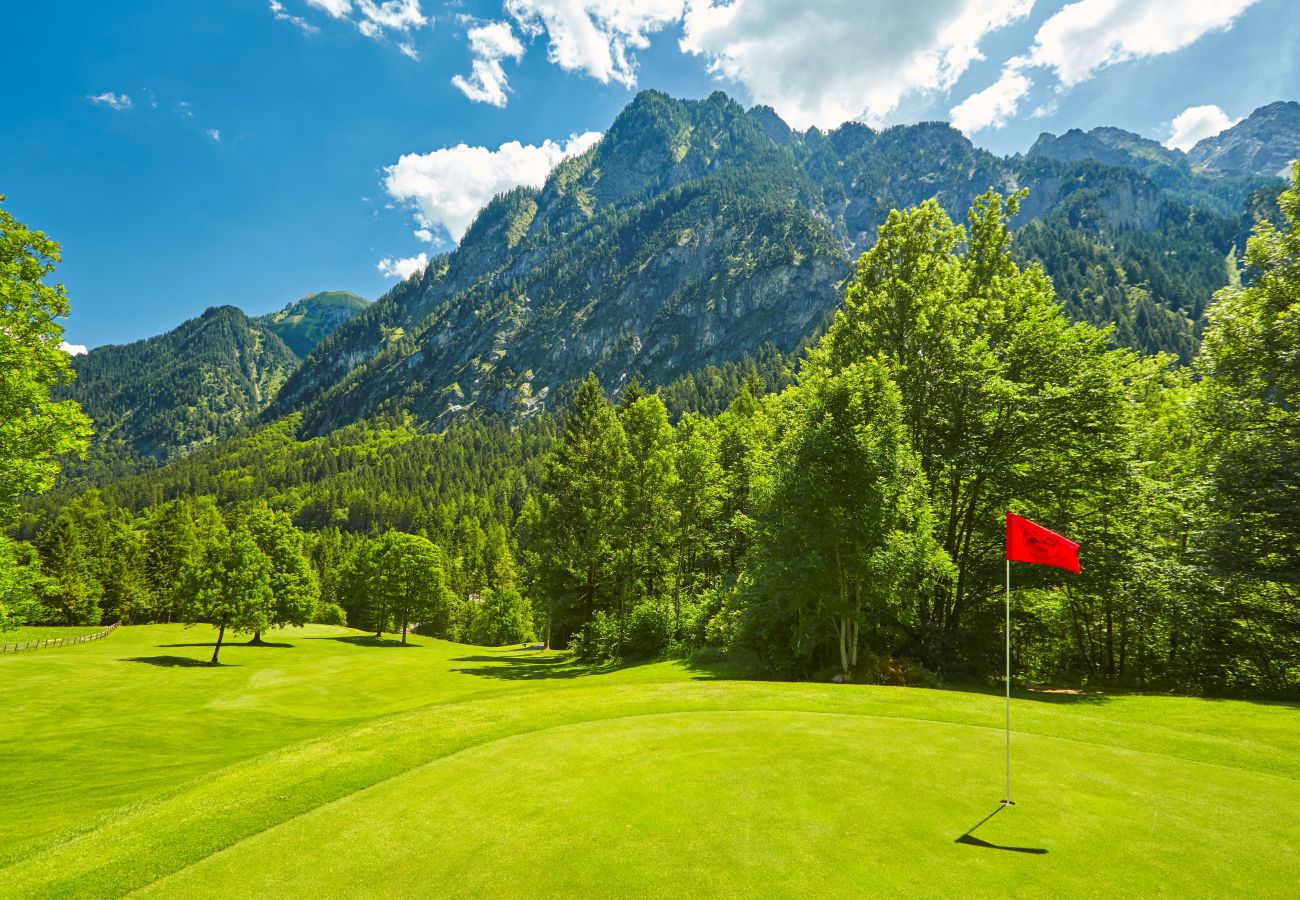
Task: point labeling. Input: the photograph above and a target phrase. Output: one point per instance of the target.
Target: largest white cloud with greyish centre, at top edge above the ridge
(837, 60)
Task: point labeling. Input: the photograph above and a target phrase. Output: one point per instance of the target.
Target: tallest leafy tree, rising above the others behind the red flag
(1003, 399)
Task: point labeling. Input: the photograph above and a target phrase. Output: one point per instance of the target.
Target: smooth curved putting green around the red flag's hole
(769, 803)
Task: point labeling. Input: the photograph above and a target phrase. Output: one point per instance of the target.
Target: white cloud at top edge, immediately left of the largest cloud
(596, 37)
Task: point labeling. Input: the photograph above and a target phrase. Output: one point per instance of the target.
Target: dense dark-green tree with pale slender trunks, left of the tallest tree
(842, 529)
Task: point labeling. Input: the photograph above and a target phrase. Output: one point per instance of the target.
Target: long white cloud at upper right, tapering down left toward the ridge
(1089, 36)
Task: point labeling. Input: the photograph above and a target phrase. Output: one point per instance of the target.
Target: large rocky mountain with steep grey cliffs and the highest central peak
(697, 231)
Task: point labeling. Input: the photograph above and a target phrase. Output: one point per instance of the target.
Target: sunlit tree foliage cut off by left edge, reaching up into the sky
(34, 432)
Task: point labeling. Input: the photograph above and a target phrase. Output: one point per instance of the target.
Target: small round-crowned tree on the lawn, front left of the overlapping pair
(231, 587)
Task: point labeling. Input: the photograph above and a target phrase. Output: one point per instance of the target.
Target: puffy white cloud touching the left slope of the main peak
(449, 187)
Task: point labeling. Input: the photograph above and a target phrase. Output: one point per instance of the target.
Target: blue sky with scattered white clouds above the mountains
(253, 152)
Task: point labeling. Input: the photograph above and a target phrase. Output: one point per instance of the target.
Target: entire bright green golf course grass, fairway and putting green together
(335, 768)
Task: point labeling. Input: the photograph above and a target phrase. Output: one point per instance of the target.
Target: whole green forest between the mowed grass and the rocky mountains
(834, 513)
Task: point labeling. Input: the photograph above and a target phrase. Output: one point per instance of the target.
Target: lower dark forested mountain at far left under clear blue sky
(164, 396)
